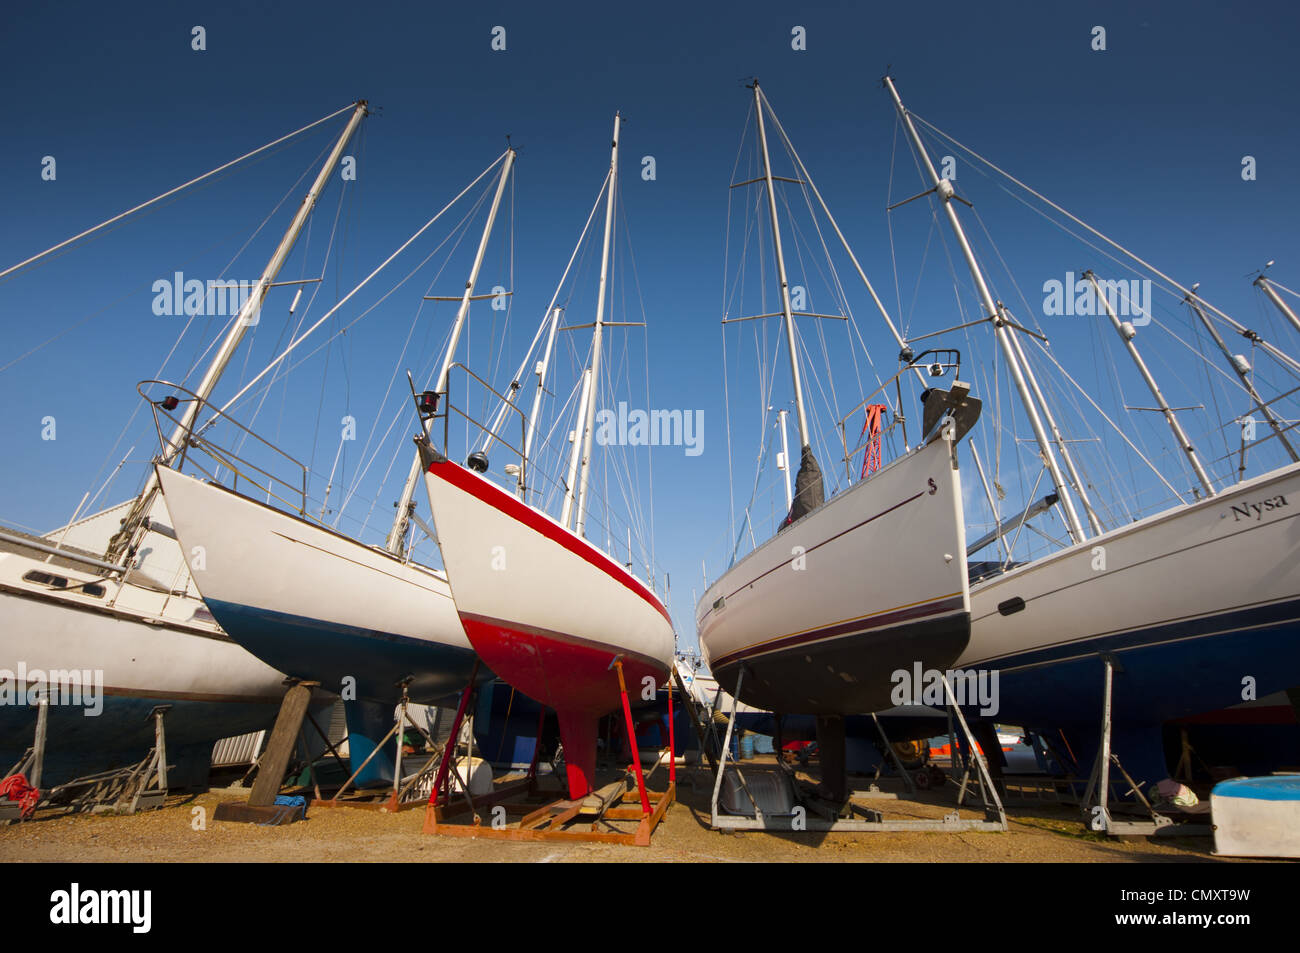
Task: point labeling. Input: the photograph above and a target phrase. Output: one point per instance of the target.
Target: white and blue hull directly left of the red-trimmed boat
(318, 605)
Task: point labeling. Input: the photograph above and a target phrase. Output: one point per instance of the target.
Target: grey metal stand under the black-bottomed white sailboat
(811, 813)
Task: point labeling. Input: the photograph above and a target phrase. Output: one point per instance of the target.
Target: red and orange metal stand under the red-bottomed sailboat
(556, 820)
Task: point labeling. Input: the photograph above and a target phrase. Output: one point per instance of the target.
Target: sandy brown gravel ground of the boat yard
(1039, 834)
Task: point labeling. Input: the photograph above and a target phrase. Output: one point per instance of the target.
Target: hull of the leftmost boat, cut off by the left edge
(133, 649)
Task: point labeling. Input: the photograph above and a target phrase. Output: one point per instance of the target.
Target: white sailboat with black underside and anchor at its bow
(853, 590)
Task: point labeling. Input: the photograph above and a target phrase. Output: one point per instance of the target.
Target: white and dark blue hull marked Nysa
(1201, 608)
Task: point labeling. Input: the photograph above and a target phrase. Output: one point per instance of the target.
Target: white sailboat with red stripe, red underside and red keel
(547, 609)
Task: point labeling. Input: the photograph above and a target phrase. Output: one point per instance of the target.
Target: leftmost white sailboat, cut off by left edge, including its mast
(110, 600)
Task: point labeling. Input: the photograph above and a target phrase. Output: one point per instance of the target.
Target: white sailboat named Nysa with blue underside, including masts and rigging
(1195, 609)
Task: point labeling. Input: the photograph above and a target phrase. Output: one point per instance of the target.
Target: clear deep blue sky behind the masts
(1145, 140)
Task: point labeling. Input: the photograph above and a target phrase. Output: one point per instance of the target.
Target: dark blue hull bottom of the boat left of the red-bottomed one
(324, 652)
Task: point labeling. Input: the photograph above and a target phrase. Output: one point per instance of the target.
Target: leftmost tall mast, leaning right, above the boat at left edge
(236, 333)
